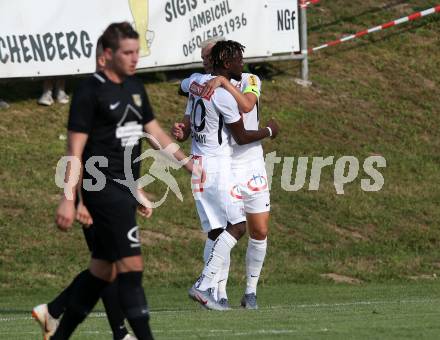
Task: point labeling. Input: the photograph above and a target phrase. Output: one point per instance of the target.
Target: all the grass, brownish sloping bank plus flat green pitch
(373, 96)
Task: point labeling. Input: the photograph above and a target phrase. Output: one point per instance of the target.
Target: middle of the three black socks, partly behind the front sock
(115, 316)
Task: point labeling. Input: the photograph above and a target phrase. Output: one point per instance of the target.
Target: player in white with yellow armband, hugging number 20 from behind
(252, 187)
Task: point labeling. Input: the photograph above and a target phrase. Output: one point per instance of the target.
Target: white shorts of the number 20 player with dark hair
(214, 204)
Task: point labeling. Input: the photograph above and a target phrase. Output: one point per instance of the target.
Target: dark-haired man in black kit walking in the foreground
(109, 111)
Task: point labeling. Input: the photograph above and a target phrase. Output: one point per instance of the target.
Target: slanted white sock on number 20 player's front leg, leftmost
(220, 251)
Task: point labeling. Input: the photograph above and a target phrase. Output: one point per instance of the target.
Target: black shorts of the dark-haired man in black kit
(114, 233)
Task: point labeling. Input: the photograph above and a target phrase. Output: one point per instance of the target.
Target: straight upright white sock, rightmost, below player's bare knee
(255, 254)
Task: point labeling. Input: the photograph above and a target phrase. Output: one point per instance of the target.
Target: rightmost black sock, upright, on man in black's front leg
(134, 304)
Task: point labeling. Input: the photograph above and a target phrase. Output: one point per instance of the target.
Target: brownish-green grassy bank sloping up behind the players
(376, 95)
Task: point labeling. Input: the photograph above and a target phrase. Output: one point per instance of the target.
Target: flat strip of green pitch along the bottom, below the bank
(286, 312)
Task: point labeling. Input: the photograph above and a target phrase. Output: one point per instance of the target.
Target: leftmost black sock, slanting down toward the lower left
(82, 299)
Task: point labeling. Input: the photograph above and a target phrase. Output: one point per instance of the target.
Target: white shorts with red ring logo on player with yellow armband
(251, 186)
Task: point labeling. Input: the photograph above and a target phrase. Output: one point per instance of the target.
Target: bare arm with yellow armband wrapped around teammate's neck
(246, 101)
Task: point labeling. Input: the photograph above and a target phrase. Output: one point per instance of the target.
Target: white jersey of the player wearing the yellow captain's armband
(249, 83)
